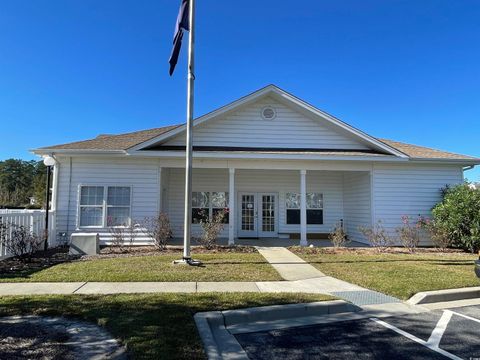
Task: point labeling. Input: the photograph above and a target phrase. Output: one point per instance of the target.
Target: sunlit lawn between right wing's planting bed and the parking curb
(401, 275)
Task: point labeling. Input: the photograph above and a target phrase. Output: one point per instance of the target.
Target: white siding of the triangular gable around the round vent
(289, 129)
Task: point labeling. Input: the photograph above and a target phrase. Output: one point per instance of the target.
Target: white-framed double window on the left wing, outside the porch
(102, 206)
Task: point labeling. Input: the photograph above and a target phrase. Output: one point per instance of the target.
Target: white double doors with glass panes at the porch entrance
(257, 214)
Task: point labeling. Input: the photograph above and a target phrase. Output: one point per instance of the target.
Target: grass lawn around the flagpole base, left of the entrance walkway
(221, 266)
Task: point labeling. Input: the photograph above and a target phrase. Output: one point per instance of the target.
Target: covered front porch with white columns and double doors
(281, 207)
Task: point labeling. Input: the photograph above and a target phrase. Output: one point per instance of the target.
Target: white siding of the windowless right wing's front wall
(410, 189)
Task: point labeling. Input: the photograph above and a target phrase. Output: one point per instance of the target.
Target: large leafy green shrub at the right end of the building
(458, 215)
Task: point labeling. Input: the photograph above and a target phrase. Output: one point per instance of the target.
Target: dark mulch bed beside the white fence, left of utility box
(40, 260)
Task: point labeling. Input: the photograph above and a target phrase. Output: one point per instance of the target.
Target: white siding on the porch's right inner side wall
(357, 203)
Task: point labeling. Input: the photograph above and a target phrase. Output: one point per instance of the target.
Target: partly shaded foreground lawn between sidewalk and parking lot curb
(151, 326)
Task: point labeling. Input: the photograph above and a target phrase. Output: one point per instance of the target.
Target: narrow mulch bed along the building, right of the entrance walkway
(375, 251)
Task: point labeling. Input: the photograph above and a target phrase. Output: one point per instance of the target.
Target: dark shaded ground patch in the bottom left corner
(32, 341)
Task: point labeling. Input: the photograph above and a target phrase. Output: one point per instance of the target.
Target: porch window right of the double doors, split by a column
(314, 208)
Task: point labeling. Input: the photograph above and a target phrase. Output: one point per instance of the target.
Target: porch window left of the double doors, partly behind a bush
(205, 205)
